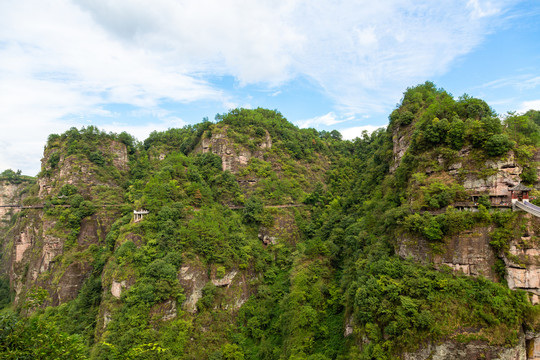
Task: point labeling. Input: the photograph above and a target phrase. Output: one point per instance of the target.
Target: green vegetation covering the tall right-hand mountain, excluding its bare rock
(393, 305)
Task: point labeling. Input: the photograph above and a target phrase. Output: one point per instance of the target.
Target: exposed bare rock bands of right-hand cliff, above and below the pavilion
(469, 252)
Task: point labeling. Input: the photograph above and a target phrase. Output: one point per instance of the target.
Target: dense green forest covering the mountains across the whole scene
(260, 240)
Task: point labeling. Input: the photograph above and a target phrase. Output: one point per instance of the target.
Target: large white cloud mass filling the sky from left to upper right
(62, 59)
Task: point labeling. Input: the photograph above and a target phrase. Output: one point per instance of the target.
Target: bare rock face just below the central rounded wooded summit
(233, 156)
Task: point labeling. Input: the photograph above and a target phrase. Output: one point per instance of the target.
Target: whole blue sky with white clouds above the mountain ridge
(139, 66)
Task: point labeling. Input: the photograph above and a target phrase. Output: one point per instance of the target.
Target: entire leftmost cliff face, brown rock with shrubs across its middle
(50, 246)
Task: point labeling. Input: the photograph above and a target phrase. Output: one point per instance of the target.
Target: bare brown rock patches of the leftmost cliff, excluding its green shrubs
(39, 242)
